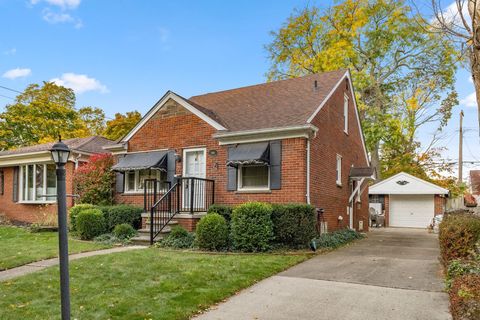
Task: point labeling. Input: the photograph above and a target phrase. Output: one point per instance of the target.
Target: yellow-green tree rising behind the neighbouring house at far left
(40, 114)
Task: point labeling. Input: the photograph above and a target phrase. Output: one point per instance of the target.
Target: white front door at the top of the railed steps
(194, 165)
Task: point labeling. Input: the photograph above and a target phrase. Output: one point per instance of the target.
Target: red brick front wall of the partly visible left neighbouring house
(31, 213)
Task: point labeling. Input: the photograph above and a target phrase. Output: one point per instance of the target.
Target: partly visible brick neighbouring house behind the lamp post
(28, 179)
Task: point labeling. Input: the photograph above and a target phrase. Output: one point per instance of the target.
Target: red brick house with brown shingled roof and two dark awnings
(294, 140)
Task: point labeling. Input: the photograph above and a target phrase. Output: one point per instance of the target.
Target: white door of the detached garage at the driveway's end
(411, 211)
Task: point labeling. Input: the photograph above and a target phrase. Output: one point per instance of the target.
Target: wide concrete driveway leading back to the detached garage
(393, 274)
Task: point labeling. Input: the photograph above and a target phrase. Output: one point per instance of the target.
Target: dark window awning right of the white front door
(249, 153)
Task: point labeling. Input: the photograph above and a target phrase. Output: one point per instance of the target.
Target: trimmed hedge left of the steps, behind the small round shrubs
(122, 213)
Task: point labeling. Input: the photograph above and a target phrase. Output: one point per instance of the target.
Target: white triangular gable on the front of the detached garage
(404, 183)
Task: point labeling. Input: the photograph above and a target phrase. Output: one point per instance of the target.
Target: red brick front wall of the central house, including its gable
(179, 129)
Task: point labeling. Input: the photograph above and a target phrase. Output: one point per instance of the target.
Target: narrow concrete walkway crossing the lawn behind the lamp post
(40, 265)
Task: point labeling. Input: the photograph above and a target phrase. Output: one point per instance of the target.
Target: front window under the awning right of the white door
(253, 177)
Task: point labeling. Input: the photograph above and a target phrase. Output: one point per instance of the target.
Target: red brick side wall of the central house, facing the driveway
(330, 141)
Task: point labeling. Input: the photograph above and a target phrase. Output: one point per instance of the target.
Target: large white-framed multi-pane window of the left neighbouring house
(38, 183)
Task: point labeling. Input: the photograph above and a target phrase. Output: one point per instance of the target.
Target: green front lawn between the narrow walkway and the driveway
(140, 284)
